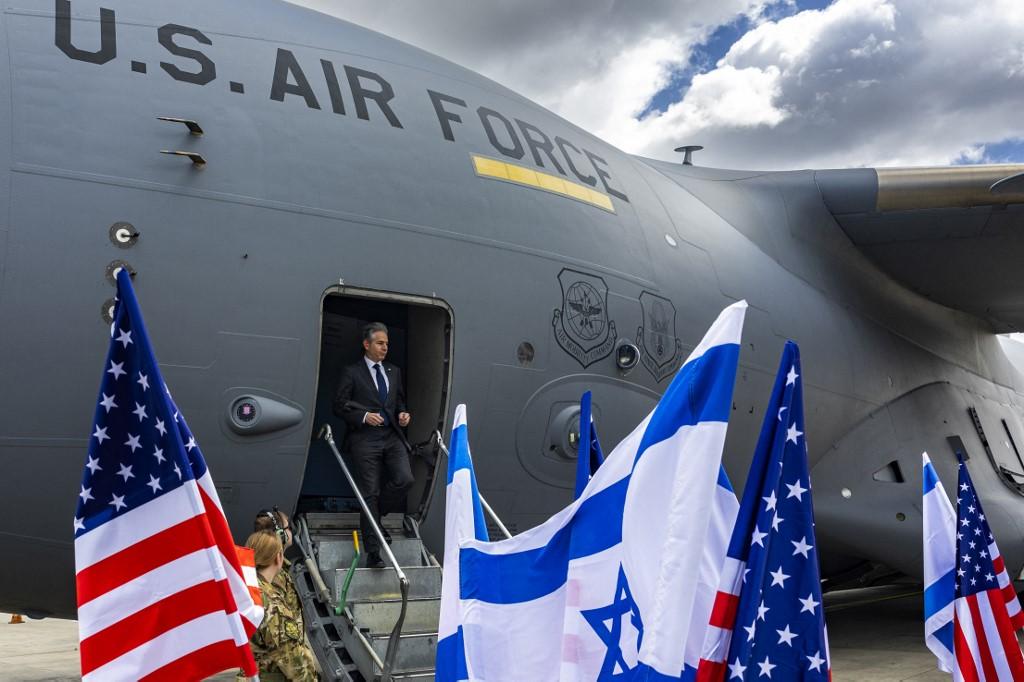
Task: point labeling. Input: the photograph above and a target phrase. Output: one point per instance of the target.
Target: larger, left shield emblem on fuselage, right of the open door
(582, 325)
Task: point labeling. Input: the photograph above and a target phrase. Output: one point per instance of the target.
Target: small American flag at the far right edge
(987, 612)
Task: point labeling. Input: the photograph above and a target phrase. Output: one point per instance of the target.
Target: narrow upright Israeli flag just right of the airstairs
(463, 521)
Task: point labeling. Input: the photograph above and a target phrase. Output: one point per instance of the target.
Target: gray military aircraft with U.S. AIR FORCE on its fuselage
(275, 179)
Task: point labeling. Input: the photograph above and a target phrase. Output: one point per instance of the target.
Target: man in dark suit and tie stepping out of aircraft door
(372, 402)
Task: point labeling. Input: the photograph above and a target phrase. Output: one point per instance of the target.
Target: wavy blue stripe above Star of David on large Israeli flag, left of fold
(510, 579)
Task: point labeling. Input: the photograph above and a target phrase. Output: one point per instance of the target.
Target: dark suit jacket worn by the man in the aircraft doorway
(358, 395)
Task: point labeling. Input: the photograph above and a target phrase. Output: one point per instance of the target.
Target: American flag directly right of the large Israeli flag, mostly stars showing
(767, 621)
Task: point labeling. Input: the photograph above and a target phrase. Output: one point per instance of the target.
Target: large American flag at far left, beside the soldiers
(161, 594)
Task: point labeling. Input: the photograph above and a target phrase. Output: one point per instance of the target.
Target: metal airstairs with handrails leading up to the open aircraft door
(370, 625)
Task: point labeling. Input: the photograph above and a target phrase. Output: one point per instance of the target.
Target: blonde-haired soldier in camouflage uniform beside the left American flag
(279, 645)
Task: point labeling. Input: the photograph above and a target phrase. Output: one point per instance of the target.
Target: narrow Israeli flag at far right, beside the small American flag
(941, 568)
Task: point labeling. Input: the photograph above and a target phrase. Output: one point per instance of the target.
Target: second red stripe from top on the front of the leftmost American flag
(148, 624)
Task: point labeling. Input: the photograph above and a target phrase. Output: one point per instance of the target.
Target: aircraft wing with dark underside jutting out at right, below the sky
(955, 235)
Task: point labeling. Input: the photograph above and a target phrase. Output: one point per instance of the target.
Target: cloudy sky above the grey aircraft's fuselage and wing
(760, 83)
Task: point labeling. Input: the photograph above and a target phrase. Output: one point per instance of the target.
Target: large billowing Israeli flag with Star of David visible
(620, 585)
